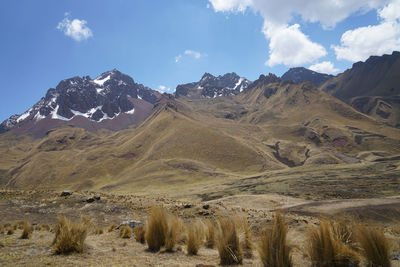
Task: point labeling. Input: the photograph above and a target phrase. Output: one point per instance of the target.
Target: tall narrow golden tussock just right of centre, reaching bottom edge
(228, 243)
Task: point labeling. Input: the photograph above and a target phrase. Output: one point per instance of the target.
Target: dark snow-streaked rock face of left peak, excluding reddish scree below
(104, 98)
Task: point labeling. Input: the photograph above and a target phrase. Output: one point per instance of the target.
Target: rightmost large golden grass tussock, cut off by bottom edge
(375, 246)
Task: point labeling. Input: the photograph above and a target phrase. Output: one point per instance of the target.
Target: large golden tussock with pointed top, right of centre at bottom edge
(273, 248)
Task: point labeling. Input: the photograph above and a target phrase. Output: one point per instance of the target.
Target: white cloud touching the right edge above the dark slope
(360, 43)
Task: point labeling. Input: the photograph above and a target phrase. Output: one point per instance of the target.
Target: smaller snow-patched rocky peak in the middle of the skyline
(211, 86)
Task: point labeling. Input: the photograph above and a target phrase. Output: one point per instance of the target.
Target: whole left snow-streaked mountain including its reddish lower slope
(112, 101)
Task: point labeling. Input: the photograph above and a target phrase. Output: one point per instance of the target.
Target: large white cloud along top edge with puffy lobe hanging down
(278, 15)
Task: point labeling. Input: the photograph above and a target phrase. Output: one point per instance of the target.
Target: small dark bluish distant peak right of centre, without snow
(301, 74)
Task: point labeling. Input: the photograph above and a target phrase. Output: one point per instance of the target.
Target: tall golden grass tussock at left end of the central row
(157, 229)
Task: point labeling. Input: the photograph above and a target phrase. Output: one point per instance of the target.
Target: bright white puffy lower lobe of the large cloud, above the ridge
(289, 46)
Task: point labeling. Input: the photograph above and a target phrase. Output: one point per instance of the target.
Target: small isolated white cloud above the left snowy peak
(76, 29)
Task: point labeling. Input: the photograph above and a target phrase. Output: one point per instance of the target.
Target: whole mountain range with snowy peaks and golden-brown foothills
(221, 127)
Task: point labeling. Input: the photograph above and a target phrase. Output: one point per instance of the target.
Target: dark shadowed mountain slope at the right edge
(372, 87)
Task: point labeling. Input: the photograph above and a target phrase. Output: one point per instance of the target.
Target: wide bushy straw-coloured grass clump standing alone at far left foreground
(69, 236)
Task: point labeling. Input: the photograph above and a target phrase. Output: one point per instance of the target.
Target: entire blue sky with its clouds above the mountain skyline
(164, 43)
